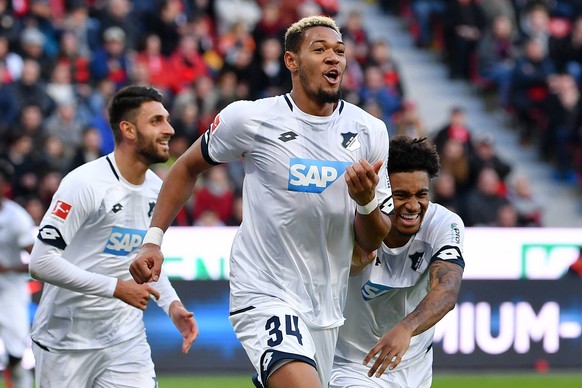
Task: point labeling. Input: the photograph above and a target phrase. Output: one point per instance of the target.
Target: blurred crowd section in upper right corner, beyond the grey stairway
(527, 52)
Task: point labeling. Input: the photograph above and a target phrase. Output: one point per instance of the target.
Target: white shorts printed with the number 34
(273, 334)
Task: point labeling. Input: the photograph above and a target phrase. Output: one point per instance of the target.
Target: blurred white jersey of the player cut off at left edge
(16, 233)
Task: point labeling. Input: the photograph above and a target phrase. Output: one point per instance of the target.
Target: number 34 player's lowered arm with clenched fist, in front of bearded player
(177, 188)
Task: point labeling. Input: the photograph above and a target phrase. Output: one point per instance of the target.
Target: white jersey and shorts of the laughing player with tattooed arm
(386, 292)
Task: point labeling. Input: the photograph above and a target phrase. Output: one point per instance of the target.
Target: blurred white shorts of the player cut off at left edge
(14, 322)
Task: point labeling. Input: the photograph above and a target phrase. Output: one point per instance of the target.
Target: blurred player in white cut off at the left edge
(16, 236)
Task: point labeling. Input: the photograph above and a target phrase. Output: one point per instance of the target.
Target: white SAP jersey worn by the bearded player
(97, 220)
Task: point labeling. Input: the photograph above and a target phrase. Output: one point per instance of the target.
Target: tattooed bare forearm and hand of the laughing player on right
(445, 284)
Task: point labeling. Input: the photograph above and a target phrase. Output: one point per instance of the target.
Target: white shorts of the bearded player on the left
(125, 365)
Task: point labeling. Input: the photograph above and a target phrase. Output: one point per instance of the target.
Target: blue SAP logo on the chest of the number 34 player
(314, 176)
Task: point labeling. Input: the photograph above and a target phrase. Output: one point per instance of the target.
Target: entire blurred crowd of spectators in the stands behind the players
(61, 60)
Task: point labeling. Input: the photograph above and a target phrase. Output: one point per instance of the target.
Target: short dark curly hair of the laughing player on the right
(407, 154)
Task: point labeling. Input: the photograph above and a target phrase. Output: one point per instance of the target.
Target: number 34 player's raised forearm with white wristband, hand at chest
(371, 226)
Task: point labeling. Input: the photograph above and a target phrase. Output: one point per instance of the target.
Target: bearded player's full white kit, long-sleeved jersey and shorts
(88, 238)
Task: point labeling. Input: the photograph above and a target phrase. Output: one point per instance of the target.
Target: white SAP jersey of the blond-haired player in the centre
(296, 239)
